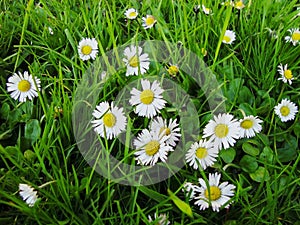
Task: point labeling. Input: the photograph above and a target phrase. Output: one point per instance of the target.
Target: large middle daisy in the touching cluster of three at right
(223, 130)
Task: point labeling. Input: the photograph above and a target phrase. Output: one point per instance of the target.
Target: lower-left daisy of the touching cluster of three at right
(203, 153)
